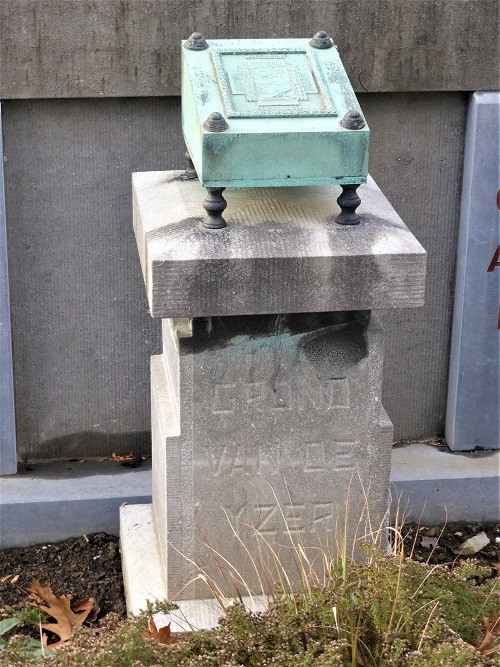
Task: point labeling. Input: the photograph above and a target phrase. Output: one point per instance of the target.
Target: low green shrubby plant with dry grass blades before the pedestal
(385, 612)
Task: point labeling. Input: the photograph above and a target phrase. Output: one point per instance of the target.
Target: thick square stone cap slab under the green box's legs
(282, 251)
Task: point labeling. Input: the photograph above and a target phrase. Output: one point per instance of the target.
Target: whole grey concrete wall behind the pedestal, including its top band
(89, 94)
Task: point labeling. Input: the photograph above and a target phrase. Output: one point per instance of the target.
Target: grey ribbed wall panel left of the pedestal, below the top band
(82, 334)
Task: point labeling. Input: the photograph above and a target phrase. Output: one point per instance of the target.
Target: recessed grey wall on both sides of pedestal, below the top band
(82, 336)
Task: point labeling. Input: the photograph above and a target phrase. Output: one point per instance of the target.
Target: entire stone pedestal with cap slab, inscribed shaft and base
(269, 435)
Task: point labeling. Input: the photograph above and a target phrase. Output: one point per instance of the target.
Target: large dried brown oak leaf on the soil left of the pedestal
(66, 620)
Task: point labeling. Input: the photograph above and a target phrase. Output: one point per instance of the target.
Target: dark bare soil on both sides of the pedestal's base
(90, 566)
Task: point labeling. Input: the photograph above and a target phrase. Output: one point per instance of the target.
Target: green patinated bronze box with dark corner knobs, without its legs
(271, 112)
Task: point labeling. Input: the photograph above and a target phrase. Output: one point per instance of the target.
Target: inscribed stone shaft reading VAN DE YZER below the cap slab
(277, 425)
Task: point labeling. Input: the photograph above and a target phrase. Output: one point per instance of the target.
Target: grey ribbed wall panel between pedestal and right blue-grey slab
(416, 157)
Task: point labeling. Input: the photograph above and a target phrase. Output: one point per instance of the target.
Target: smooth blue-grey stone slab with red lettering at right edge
(473, 414)
